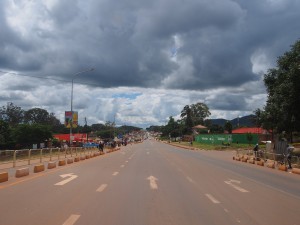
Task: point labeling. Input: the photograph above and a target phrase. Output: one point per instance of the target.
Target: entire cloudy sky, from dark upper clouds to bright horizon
(151, 58)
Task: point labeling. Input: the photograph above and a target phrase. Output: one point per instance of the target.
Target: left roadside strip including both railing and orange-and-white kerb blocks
(22, 161)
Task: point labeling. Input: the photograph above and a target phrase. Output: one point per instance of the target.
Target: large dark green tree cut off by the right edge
(282, 109)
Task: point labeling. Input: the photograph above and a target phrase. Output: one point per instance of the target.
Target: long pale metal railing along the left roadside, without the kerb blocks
(15, 158)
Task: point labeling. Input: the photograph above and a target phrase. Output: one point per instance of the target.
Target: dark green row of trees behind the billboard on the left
(21, 128)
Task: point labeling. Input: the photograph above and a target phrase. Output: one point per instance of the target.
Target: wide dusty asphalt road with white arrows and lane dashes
(153, 184)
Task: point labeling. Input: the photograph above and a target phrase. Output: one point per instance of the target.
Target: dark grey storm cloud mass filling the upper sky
(174, 44)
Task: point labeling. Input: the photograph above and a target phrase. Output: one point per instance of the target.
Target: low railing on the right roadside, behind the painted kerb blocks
(265, 155)
